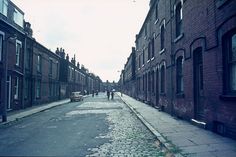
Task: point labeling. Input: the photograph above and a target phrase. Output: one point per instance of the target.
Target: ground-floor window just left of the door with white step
(179, 75)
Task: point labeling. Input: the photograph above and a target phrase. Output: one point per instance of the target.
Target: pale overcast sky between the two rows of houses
(101, 33)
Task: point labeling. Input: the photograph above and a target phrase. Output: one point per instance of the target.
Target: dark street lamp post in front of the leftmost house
(4, 111)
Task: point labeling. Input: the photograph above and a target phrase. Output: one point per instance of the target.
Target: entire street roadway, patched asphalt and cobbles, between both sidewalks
(93, 127)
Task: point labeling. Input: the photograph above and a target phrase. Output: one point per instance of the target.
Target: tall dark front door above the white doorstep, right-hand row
(198, 84)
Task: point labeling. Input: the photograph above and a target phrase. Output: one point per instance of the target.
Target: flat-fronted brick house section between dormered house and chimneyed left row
(45, 75)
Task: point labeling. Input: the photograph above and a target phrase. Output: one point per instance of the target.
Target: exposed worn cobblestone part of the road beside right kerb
(127, 135)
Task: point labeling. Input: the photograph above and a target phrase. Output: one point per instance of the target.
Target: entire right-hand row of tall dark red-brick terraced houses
(184, 62)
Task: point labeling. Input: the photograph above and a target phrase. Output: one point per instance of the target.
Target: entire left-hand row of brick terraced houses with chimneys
(31, 74)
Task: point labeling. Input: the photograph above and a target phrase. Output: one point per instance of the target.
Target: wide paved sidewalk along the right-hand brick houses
(180, 136)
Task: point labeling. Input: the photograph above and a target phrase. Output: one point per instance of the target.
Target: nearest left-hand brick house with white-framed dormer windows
(12, 40)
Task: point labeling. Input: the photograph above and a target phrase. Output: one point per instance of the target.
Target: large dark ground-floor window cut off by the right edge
(229, 54)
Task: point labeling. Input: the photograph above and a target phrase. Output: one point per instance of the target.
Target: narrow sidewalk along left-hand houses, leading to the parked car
(15, 115)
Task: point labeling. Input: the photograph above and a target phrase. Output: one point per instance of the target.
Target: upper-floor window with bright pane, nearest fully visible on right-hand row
(178, 19)
